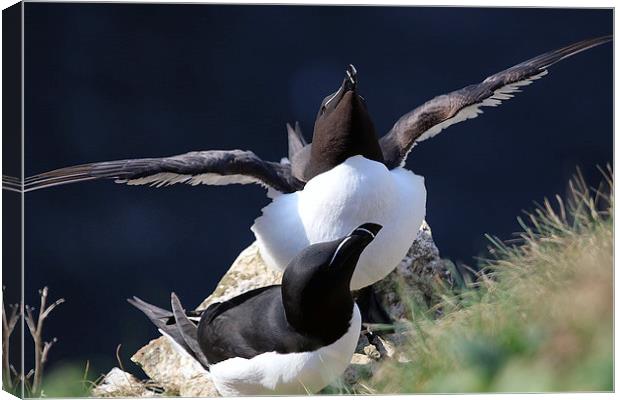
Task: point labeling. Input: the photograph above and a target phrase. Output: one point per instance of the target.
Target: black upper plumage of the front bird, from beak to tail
(311, 309)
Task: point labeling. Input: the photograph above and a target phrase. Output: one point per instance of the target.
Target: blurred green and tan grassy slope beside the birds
(540, 318)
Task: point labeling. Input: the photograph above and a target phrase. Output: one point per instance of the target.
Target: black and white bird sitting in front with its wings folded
(294, 338)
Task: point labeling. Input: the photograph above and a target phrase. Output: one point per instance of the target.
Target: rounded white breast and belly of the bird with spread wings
(332, 204)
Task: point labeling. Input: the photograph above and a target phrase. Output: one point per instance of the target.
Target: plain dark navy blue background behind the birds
(123, 81)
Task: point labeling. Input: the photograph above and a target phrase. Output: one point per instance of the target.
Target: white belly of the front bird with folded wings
(294, 373)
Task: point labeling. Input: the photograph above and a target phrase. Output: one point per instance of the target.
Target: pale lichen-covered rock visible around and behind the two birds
(181, 375)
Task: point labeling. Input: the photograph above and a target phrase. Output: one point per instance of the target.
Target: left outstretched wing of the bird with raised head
(214, 167)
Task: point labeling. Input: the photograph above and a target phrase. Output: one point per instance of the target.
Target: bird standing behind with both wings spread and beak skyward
(346, 176)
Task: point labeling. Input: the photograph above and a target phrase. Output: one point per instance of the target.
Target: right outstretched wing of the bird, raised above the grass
(439, 113)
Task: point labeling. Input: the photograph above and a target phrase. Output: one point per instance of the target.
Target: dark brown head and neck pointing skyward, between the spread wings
(343, 128)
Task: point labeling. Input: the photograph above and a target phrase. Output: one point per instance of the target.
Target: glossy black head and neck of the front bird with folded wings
(316, 284)
